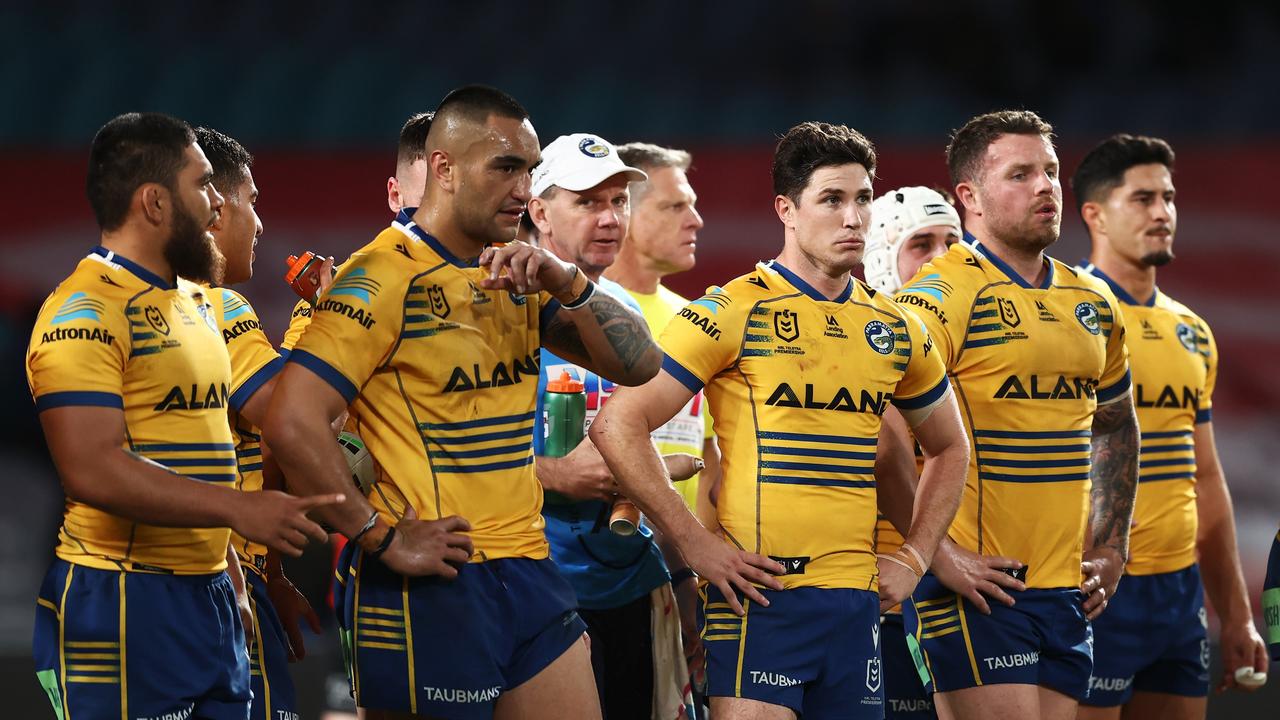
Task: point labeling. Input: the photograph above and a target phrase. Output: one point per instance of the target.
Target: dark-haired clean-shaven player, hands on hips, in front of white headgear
(799, 362)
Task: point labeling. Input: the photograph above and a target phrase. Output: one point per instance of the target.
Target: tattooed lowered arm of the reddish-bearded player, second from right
(1114, 471)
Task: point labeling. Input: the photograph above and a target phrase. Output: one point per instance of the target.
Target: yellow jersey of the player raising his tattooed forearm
(442, 379)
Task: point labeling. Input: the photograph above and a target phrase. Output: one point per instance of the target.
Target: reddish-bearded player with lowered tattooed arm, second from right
(1036, 352)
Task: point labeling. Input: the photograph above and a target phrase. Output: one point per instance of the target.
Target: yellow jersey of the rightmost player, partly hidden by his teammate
(1174, 363)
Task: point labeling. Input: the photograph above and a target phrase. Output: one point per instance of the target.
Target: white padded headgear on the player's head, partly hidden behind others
(898, 216)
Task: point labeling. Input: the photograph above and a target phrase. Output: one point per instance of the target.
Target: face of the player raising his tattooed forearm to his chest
(492, 183)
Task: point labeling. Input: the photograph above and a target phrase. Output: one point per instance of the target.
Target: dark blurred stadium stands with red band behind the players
(319, 92)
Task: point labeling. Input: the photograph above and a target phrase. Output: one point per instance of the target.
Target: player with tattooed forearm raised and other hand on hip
(432, 332)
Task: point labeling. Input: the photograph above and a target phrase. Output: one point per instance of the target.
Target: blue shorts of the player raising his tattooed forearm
(449, 649)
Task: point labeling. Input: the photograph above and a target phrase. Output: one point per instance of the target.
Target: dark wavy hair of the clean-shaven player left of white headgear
(810, 147)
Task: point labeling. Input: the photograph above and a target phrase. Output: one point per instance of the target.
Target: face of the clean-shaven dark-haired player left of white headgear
(833, 217)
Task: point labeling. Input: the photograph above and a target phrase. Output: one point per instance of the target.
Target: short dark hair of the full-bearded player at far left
(129, 152)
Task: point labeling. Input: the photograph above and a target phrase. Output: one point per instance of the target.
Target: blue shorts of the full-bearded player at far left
(140, 645)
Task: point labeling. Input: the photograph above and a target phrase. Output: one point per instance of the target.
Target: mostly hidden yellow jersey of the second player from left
(254, 363)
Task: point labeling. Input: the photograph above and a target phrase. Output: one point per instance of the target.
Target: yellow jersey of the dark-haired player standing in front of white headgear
(798, 385)
